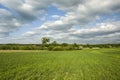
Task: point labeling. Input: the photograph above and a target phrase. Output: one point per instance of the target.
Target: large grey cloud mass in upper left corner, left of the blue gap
(17, 14)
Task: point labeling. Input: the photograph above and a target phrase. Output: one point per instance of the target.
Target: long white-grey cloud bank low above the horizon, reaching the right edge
(108, 32)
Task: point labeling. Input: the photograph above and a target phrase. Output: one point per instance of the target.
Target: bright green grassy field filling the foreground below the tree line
(87, 64)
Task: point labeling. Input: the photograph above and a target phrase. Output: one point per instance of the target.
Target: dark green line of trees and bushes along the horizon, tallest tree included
(54, 46)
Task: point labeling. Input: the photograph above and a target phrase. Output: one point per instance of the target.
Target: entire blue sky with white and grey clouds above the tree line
(80, 21)
